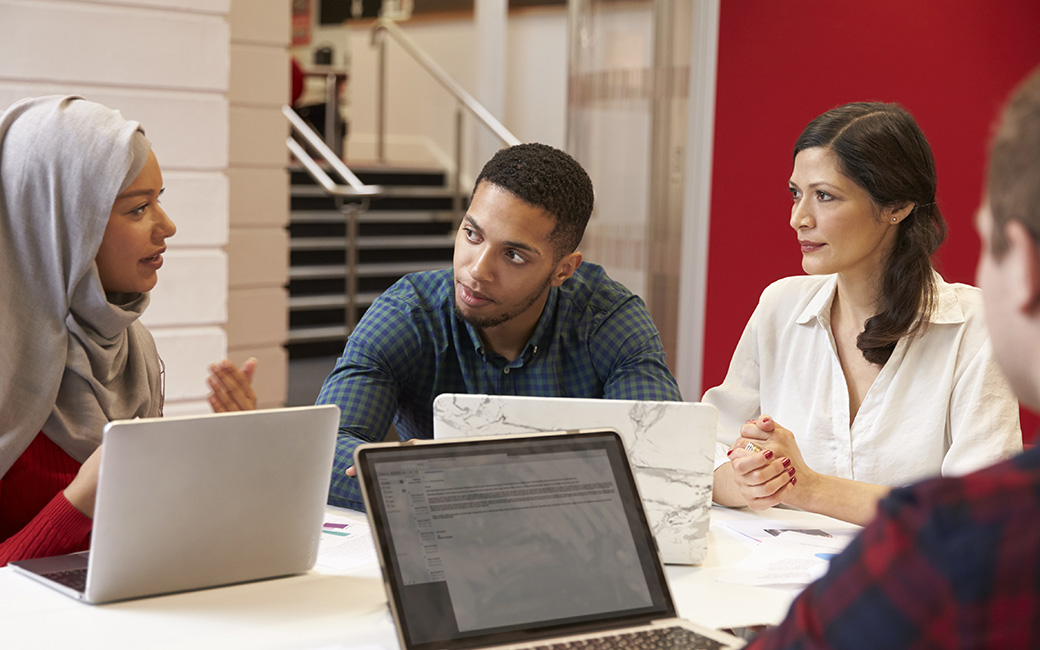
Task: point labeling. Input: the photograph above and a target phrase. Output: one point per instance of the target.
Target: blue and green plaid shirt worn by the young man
(594, 340)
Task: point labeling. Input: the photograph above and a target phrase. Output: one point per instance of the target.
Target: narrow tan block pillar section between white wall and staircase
(258, 246)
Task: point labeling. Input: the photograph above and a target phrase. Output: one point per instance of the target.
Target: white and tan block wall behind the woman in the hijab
(174, 65)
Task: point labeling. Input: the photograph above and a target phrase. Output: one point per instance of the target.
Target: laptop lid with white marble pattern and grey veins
(671, 446)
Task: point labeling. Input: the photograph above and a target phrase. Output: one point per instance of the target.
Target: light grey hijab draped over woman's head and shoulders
(71, 357)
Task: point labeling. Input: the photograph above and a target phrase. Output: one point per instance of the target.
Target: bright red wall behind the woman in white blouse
(952, 64)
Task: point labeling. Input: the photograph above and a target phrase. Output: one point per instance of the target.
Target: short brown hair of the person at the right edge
(1015, 166)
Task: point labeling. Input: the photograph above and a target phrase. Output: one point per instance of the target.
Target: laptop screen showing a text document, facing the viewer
(504, 540)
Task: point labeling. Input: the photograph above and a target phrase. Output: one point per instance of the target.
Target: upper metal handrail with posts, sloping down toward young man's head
(464, 99)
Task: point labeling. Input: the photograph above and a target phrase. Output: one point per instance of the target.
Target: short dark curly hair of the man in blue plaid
(549, 179)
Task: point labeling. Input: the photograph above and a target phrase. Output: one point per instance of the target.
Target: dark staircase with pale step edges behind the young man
(410, 229)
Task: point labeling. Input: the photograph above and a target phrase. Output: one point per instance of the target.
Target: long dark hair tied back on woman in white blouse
(881, 148)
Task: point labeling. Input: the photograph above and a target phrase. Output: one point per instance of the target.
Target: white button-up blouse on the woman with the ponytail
(941, 404)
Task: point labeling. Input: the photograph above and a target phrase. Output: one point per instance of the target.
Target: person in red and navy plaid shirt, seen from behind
(955, 563)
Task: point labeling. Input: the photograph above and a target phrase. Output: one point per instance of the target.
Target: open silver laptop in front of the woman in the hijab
(198, 502)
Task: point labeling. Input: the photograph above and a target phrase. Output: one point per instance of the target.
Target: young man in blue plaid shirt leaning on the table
(518, 315)
